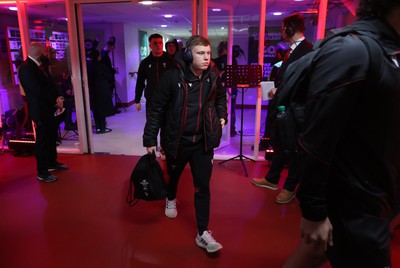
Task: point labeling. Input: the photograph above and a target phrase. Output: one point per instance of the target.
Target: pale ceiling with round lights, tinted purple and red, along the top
(245, 13)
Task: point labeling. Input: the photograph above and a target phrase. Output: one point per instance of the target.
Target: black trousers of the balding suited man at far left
(45, 146)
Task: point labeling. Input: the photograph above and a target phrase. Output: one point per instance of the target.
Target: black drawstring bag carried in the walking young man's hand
(147, 181)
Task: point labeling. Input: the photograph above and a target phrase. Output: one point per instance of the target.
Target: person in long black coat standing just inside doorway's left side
(99, 79)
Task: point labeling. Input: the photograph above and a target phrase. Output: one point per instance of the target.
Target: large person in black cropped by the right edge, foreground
(348, 147)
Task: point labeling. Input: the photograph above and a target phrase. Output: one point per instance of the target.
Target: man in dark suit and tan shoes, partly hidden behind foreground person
(293, 32)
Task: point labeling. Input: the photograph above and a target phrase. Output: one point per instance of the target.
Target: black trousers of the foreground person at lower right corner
(359, 240)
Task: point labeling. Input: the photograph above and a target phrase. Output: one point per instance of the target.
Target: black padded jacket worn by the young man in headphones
(174, 101)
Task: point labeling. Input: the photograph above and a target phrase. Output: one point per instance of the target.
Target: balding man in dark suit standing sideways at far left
(43, 104)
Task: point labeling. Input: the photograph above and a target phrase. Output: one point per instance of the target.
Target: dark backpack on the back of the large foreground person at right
(292, 92)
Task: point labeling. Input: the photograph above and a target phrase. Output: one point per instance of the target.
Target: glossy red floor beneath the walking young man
(82, 220)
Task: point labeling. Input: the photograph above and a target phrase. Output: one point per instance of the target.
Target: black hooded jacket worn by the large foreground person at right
(350, 145)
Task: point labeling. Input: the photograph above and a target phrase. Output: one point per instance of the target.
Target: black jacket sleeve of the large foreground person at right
(336, 82)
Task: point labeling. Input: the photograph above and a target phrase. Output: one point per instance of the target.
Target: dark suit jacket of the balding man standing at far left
(41, 92)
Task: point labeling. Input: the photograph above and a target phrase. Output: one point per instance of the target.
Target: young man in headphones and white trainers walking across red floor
(190, 105)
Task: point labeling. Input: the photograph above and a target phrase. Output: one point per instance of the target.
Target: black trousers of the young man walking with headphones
(201, 164)
